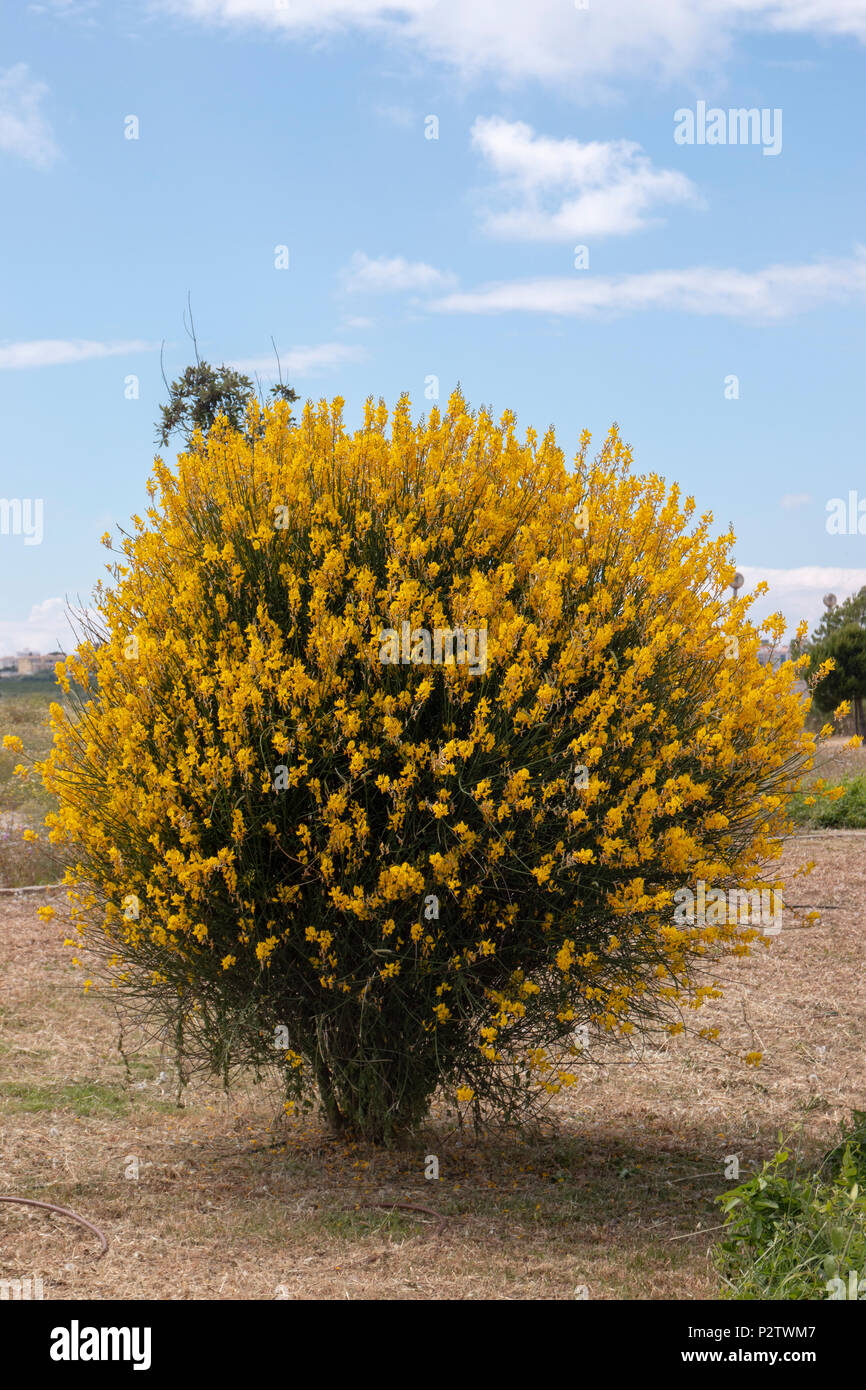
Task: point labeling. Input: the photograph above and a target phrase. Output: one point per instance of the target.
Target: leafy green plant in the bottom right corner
(799, 1235)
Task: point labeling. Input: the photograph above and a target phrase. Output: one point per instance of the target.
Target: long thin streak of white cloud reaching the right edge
(762, 295)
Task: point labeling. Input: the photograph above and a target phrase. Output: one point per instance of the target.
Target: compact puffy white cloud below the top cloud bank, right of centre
(566, 188)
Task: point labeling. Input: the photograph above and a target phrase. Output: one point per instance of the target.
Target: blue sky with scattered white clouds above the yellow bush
(307, 126)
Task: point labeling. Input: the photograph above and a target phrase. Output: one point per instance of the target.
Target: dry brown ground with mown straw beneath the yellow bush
(611, 1199)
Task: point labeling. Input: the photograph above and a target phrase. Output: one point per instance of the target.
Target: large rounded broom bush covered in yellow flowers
(400, 743)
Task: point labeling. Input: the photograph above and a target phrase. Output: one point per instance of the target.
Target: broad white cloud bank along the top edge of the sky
(548, 40)
